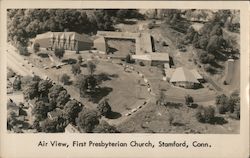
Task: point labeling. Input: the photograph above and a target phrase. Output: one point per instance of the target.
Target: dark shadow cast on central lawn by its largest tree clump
(100, 93)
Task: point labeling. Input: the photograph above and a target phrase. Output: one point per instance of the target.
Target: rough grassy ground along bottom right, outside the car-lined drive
(156, 119)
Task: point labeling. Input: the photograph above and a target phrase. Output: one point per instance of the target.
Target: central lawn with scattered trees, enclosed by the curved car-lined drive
(120, 87)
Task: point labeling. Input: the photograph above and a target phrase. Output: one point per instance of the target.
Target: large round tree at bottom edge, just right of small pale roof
(87, 120)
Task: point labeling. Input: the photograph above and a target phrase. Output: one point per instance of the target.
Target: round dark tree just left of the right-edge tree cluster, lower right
(205, 114)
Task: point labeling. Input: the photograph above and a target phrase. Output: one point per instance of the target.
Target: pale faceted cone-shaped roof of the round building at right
(182, 74)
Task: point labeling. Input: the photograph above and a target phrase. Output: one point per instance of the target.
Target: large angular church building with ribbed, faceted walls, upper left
(66, 40)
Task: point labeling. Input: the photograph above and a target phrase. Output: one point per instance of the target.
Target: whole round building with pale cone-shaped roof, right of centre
(185, 78)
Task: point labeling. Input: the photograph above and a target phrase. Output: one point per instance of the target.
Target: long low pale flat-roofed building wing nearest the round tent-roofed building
(153, 59)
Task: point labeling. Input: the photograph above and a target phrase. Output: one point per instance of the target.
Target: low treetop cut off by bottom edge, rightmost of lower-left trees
(104, 127)
